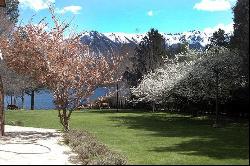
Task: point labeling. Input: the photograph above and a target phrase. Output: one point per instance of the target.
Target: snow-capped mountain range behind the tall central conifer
(106, 43)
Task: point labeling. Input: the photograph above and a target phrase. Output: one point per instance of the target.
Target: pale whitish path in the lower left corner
(33, 146)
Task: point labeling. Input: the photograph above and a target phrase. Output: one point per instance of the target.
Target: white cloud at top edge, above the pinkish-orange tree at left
(36, 4)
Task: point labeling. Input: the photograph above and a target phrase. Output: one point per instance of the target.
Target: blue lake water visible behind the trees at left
(44, 99)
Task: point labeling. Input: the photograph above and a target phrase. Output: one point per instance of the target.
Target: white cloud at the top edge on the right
(214, 5)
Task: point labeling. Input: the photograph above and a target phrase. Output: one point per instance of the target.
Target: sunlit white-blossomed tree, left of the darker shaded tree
(160, 84)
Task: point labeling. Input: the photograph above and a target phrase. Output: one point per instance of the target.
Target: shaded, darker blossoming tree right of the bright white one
(217, 68)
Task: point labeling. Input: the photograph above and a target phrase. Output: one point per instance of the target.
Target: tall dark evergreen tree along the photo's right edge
(240, 41)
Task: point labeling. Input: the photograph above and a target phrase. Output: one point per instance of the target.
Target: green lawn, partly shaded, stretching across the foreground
(154, 138)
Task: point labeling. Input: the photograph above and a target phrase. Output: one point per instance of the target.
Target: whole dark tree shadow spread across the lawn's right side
(230, 141)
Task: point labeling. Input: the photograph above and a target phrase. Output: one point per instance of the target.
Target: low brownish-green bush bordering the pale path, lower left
(91, 152)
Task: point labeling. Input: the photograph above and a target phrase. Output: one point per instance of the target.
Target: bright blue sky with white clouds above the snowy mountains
(133, 16)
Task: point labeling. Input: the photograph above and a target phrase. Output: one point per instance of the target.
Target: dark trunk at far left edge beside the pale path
(1, 108)
